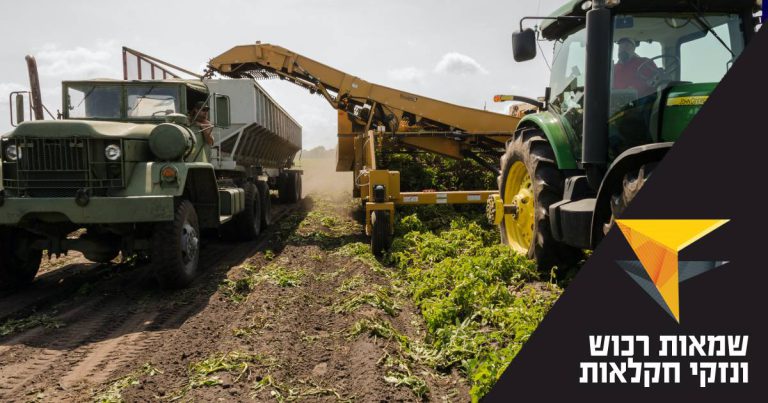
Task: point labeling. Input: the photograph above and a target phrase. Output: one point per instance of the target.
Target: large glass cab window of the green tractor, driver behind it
(654, 53)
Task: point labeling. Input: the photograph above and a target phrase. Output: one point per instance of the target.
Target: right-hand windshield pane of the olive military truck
(151, 101)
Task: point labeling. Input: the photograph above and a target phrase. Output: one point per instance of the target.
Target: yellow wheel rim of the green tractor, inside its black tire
(518, 192)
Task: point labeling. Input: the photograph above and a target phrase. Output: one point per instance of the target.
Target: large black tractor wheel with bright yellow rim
(529, 183)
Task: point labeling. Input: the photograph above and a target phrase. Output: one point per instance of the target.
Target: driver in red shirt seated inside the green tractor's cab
(633, 71)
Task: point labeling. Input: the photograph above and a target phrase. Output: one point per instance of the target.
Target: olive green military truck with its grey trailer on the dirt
(125, 171)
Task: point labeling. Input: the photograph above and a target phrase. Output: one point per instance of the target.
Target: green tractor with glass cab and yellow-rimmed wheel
(627, 78)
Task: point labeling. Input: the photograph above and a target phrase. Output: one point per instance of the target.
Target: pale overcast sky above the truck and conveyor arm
(457, 51)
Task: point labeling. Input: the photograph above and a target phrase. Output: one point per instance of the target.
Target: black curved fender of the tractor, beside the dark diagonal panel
(631, 159)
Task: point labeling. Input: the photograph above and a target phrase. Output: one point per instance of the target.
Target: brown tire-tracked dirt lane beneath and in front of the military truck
(104, 333)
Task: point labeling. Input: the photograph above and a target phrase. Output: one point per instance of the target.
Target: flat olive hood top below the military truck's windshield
(82, 128)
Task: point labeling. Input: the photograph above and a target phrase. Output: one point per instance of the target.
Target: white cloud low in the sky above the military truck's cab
(80, 62)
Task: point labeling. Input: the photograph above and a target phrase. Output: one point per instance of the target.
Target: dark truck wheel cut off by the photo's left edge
(19, 262)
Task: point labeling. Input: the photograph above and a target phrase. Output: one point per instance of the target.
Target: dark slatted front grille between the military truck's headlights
(59, 167)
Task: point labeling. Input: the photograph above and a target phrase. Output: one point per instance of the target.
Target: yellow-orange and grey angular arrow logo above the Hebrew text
(657, 244)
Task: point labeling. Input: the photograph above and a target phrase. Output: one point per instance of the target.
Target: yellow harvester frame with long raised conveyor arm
(372, 117)
